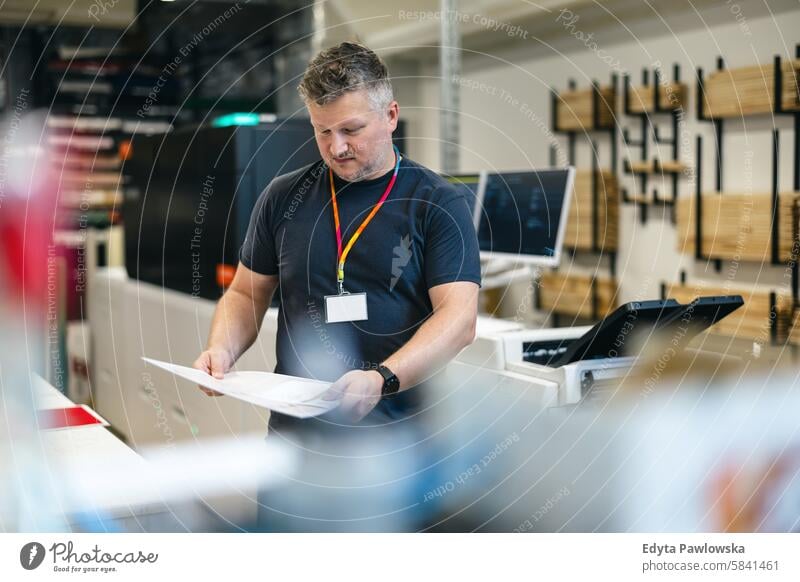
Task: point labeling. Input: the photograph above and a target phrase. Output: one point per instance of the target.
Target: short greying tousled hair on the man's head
(344, 68)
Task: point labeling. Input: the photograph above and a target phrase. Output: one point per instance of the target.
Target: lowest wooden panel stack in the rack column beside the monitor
(571, 294)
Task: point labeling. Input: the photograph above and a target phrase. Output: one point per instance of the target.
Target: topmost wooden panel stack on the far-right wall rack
(750, 90)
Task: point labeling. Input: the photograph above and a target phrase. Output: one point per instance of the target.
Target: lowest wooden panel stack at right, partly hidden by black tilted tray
(749, 322)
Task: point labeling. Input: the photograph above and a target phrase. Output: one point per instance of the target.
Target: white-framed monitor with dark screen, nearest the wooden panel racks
(522, 215)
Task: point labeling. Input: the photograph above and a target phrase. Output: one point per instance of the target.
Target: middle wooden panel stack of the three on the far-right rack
(737, 226)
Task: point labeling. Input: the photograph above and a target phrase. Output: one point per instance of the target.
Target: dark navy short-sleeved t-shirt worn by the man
(422, 236)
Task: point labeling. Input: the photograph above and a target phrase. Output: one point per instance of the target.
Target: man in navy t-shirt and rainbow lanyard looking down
(374, 257)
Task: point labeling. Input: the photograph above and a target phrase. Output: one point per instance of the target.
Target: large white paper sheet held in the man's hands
(288, 395)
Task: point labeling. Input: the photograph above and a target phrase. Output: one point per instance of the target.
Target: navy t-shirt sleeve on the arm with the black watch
(451, 245)
